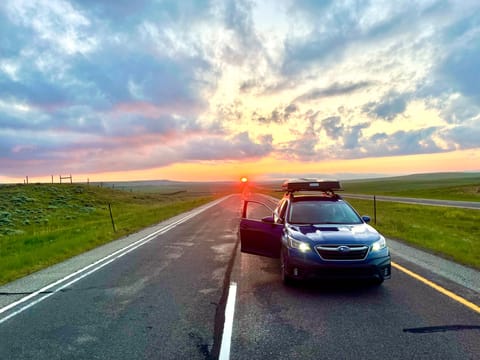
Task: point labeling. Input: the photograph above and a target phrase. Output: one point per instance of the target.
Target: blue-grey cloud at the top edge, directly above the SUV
(336, 28)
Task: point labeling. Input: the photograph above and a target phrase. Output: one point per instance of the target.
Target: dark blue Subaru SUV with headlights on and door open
(316, 234)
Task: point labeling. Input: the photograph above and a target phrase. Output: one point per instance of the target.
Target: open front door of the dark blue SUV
(260, 236)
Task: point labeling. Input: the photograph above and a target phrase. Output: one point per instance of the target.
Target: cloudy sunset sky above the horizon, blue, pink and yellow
(204, 90)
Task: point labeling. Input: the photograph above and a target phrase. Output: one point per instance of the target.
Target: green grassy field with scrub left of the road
(43, 224)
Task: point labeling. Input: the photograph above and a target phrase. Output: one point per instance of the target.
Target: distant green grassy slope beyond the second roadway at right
(443, 186)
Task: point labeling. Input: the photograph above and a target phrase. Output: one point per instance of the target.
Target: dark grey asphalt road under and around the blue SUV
(165, 299)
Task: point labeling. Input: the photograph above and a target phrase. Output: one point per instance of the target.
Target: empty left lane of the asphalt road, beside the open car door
(157, 302)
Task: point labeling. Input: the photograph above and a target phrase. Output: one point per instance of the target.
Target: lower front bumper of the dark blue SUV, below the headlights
(301, 267)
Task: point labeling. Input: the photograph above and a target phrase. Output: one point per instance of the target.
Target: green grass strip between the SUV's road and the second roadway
(449, 232)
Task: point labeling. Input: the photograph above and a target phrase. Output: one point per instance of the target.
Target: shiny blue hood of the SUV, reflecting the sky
(335, 234)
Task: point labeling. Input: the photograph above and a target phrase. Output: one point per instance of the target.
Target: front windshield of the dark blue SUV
(323, 212)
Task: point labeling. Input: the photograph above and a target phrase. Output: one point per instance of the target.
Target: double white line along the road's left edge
(97, 265)
